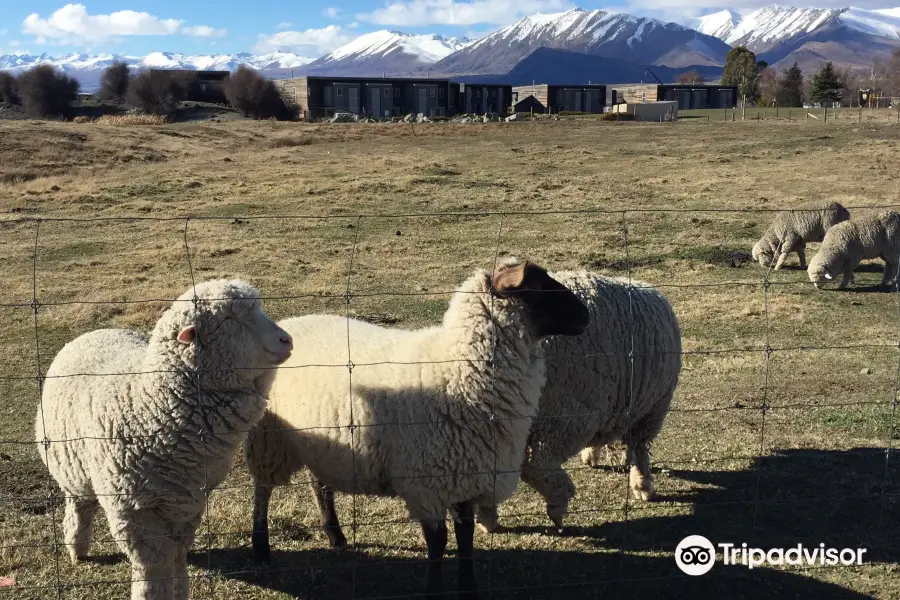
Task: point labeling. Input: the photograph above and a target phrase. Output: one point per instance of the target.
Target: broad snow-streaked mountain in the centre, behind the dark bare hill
(596, 32)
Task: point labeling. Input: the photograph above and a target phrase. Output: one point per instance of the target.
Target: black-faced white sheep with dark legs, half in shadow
(438, 416)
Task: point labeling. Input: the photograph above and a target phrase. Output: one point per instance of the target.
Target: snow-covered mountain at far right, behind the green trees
(850, 36)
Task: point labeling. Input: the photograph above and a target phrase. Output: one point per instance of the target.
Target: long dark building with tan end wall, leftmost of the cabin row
(320, 97)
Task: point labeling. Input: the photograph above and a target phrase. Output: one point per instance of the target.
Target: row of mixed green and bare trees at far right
(762, 85)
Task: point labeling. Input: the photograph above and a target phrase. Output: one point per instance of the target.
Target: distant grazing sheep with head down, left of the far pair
(791, 230)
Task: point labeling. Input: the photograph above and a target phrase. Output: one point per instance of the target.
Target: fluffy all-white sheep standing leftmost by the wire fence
(146, 426)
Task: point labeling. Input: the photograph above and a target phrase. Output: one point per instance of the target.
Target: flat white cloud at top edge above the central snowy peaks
(419, 13)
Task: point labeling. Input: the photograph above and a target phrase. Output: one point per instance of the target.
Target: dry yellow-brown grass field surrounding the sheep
(768, 448)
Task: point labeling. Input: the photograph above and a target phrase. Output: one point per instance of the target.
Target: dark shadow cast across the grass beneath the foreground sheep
(842, 499)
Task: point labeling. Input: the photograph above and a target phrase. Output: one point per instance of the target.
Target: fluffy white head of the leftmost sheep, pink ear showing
(226, 330)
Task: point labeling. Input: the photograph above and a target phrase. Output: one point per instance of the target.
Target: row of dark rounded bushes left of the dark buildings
(45, 92)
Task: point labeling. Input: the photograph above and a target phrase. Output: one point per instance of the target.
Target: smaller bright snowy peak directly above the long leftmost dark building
(387, 52)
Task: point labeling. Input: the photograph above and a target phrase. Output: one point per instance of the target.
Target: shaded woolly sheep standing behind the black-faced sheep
(615, 381)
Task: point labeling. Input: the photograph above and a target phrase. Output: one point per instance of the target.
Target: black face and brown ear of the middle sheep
(553, 308)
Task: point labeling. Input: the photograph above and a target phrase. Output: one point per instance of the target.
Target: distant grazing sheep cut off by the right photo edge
(849, 243)
